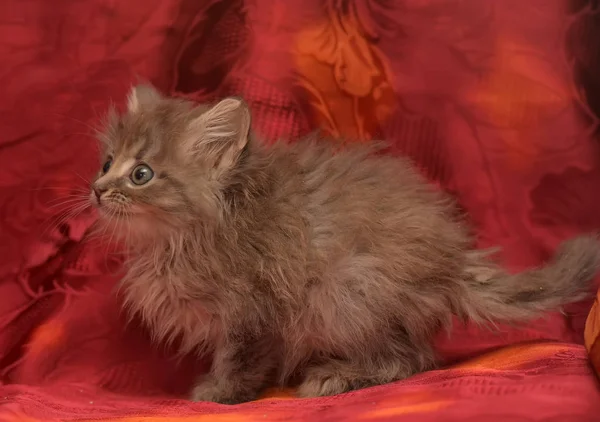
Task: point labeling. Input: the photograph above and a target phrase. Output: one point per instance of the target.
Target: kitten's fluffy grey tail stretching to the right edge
(494, 295)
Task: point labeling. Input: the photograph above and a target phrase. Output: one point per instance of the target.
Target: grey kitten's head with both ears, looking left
(165, 162)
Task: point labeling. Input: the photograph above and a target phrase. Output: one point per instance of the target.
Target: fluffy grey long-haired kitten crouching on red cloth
(303, 259)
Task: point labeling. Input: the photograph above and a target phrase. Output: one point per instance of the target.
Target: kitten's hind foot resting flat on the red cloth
(337, 376)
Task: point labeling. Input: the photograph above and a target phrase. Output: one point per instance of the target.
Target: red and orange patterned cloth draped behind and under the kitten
(486, 96)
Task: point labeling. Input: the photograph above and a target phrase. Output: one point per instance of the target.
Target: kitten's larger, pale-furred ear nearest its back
(221, 133)
